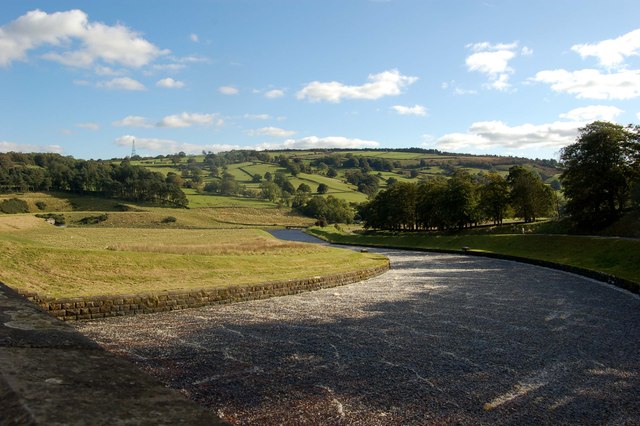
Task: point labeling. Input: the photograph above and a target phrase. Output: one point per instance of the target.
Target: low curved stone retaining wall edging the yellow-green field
(86, 308)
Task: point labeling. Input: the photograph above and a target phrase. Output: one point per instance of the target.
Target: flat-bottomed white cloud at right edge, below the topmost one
(593, 84)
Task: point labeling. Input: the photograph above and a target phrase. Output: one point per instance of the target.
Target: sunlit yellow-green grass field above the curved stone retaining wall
(75, 262)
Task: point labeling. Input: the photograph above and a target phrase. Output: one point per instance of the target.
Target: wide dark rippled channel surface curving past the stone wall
(439, 339)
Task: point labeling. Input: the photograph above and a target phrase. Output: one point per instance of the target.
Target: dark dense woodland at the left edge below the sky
(53, 172)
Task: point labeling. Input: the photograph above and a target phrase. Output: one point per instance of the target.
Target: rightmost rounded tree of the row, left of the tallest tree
(529, 196)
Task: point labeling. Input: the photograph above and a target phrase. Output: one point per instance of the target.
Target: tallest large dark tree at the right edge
(601, 170)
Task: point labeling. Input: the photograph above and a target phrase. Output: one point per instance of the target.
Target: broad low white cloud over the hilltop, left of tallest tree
(486, 135)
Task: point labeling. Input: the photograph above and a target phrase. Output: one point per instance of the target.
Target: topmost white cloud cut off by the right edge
(611, 53)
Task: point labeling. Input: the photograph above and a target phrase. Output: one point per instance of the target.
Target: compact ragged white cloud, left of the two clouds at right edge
(493, 61)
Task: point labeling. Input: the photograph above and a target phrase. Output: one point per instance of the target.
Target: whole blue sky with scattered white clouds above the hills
(498, 77)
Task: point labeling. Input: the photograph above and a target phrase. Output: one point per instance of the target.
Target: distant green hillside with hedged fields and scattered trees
(350, 175)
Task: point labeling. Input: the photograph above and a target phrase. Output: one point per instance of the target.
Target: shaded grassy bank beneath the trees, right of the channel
(615, 256)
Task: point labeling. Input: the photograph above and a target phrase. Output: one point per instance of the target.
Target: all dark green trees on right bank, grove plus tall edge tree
(600, 182)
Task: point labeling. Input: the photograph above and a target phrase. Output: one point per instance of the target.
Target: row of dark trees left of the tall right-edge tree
(461, 201)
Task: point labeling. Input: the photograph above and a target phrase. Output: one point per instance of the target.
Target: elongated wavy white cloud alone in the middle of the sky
(387, 83)
